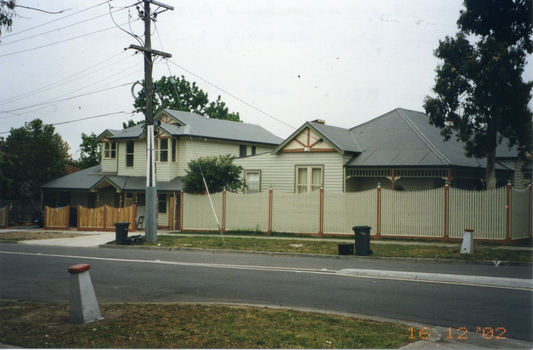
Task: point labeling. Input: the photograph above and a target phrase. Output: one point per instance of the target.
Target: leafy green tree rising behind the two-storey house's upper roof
(179, 94)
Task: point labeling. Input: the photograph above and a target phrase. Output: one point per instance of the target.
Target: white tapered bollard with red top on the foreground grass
(83, 304)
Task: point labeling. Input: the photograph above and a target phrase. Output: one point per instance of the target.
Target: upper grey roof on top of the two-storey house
(194, 125)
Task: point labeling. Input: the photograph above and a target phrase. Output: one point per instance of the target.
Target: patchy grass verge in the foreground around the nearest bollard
(192, 326)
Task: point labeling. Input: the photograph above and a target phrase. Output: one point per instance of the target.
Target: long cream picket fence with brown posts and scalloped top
(500, 215)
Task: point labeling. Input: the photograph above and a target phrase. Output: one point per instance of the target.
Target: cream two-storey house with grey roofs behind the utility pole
(120, 179)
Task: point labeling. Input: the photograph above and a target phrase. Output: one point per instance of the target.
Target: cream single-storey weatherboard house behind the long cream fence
(399, 150)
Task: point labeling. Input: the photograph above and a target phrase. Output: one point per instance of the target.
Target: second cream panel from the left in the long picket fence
(247, 212)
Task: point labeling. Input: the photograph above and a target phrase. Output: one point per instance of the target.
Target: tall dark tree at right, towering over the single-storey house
(479, 86)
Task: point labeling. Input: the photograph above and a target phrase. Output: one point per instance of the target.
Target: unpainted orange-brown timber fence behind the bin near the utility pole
(104, 218)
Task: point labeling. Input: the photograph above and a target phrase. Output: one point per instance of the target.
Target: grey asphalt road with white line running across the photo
(39, 273)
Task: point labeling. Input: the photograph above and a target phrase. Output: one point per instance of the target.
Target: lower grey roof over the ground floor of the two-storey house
(86, 180)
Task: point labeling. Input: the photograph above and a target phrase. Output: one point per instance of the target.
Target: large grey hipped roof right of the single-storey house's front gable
(405, 138)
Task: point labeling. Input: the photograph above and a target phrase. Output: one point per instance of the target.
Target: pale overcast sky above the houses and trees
(277, 63)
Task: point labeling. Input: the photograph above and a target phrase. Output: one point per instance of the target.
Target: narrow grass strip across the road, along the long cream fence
(331, 248)
